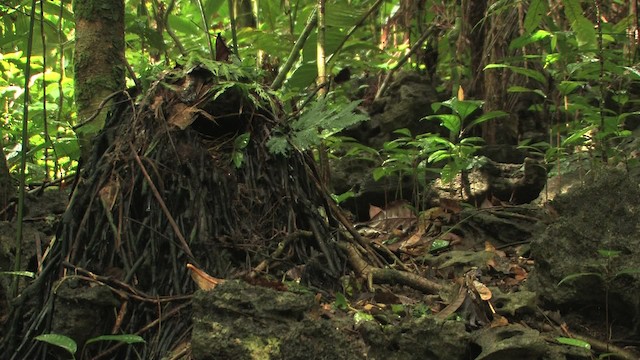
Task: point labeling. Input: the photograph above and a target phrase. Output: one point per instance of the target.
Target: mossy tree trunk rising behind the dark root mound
(98, 62)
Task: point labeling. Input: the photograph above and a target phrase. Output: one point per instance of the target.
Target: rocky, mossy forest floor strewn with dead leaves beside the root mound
(554, 280)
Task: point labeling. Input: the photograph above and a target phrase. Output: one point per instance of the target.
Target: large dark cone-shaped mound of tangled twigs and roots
(162, 190)
